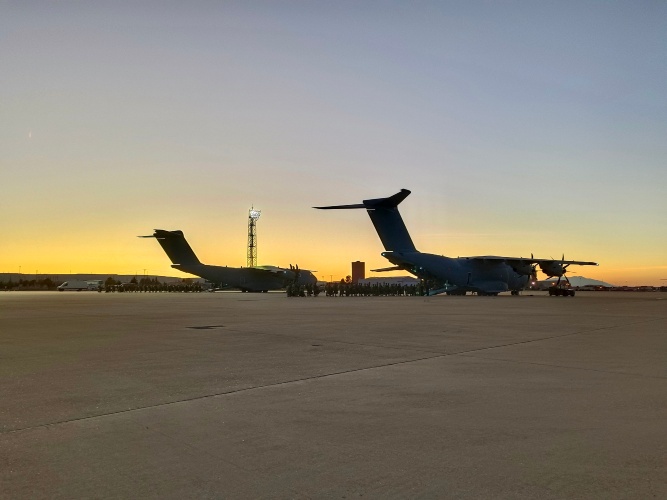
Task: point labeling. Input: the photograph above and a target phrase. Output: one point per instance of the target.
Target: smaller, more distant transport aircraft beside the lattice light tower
(248, 279)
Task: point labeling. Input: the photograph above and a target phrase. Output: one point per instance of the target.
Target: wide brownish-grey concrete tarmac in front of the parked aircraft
(231, 395)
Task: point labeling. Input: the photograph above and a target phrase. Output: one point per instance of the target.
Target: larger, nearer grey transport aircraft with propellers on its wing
(485, 275)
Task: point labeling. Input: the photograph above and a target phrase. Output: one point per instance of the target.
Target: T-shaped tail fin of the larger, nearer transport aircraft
(387, 220)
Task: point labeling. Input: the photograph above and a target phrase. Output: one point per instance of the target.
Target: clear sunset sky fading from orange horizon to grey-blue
(519, 127)
